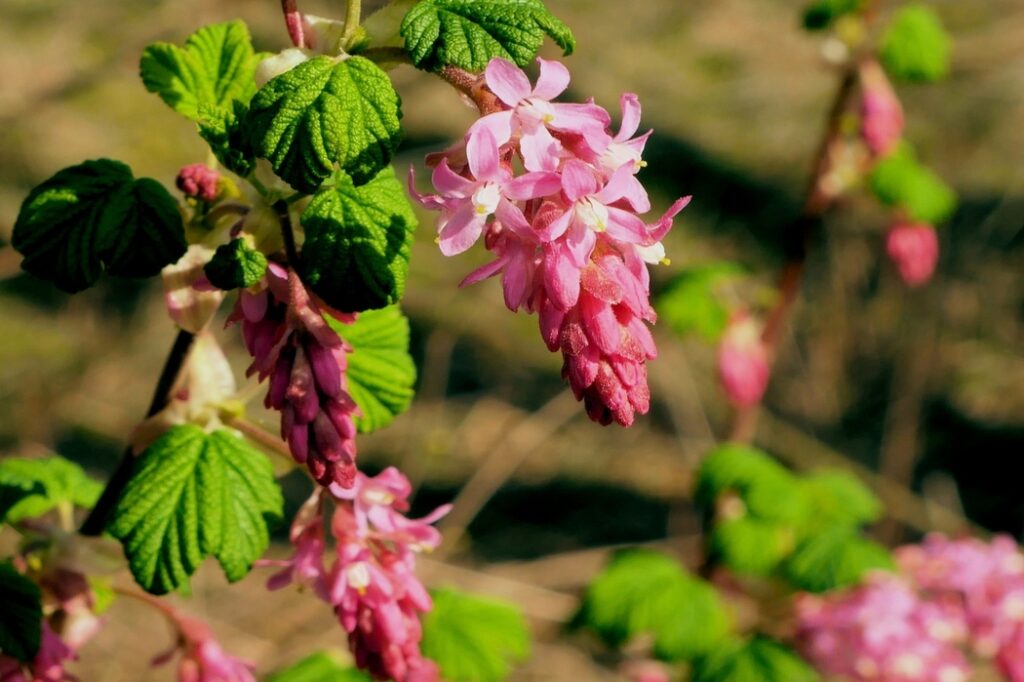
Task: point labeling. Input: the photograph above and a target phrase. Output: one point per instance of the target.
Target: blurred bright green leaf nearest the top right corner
(916, 48)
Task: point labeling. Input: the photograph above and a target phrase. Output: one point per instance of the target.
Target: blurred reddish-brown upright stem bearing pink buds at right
(819, 200)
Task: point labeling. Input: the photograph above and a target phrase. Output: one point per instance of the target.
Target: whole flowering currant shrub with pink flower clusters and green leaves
(300, 227)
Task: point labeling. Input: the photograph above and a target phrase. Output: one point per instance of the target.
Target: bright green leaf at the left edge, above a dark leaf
(51, 482)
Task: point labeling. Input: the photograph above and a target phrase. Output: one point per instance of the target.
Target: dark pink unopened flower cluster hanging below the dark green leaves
(285, 331)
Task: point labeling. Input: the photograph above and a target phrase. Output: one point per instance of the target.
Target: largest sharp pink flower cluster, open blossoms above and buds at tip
(566, 232)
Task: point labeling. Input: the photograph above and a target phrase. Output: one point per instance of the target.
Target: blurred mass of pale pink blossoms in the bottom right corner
(951, 595)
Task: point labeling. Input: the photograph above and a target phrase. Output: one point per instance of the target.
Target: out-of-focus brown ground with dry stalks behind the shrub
(922, 393)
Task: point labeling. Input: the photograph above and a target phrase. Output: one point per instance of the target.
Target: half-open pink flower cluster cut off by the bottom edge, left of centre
(372, 584)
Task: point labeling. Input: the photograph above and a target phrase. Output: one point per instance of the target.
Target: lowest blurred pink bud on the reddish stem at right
(743, 363)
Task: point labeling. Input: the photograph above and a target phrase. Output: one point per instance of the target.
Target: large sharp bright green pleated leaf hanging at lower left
(193, 495)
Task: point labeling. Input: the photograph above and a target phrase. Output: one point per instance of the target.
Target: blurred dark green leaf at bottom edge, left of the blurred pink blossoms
(758, 660)
